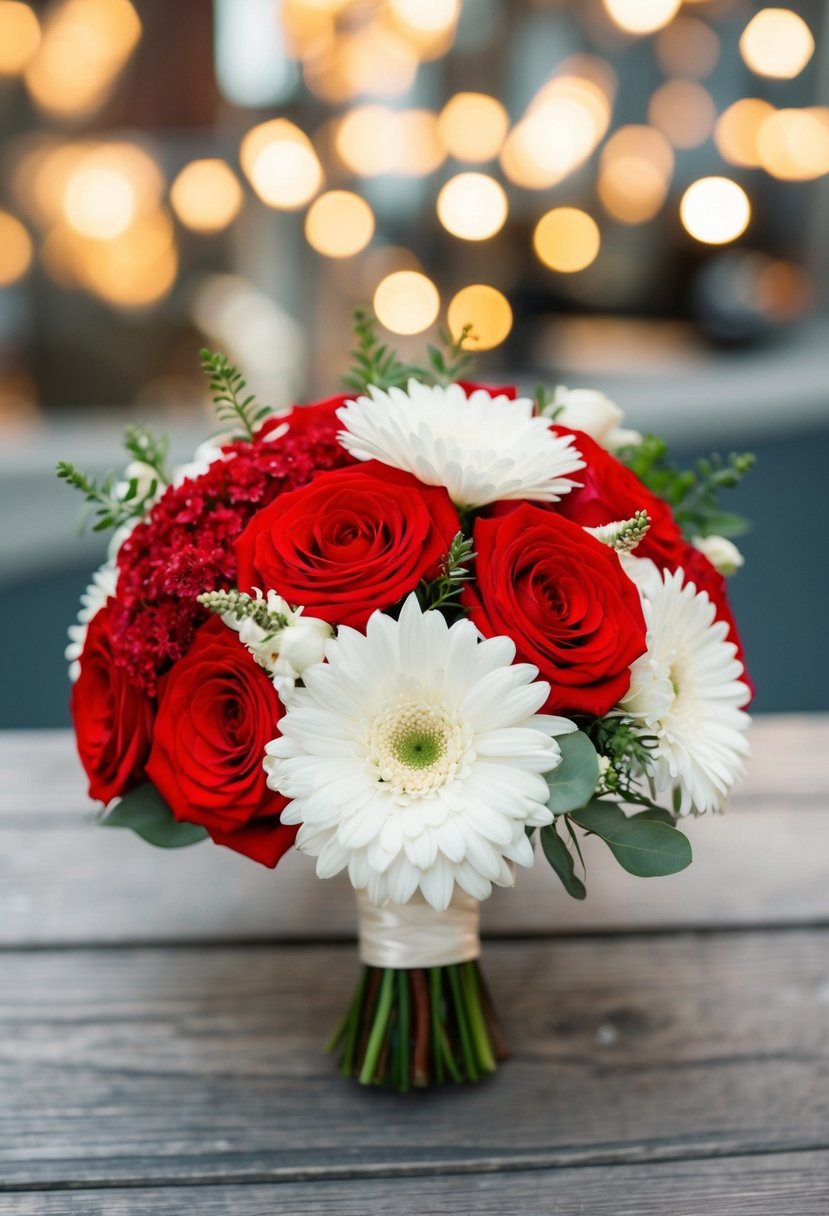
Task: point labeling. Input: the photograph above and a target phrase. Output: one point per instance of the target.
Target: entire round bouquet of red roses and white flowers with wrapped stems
(427, 632)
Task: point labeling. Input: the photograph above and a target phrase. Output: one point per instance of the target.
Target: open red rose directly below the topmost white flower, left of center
(352, 542)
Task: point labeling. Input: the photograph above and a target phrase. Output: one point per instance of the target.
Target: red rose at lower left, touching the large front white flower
(218, 710)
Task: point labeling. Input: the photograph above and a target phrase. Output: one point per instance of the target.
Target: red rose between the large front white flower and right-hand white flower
(565, 600)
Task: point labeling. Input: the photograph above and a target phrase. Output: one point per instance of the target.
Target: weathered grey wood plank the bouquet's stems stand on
(150, 1066)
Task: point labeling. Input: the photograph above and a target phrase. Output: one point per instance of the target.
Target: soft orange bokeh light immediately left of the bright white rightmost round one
(635, 174)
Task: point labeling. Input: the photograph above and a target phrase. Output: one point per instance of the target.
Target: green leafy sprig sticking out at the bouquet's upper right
(693, 494)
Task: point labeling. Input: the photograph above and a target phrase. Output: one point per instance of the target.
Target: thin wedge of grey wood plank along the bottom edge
(794, 1184)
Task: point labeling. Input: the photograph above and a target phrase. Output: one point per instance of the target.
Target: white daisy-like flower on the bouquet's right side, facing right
(687, 691)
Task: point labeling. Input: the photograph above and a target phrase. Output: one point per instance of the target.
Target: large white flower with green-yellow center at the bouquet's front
(415, 758)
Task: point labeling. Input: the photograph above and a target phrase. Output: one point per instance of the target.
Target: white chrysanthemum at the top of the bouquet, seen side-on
(482, 448)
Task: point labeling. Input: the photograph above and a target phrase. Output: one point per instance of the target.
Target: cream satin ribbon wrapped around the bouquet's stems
(408, 936)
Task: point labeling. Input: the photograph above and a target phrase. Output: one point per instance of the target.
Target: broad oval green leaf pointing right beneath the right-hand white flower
(642, 847)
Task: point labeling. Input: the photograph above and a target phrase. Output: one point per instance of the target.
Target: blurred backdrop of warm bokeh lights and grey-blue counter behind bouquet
(631, 195)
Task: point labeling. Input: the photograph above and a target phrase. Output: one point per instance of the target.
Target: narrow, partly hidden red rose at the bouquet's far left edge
(112, 718)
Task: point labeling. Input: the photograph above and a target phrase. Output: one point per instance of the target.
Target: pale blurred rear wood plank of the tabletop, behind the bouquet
(64, 881)
